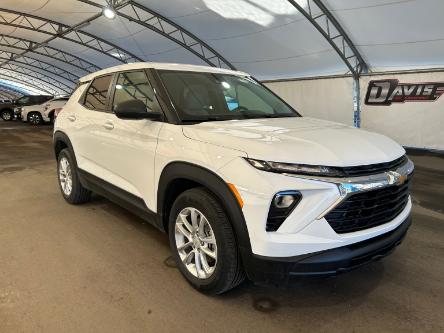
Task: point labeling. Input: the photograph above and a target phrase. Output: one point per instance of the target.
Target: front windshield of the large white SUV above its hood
(209, 97)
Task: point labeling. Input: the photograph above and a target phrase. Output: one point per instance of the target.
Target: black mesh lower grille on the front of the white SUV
(369, 209)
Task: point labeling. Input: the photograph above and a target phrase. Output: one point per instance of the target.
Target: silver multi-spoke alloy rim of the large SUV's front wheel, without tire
(196, 243)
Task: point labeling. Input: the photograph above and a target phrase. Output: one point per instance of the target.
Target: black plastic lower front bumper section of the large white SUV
(281, 271)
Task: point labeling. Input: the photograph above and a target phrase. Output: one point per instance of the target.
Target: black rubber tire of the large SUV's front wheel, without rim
(228, 272)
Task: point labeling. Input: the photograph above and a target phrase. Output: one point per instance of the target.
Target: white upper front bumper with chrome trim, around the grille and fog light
(306, 230)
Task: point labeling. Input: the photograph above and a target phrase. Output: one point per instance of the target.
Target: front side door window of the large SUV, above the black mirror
(134, 85)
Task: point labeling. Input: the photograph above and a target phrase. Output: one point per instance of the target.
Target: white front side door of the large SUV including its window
(131, 144)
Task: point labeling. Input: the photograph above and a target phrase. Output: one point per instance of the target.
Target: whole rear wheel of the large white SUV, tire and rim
(70, 186)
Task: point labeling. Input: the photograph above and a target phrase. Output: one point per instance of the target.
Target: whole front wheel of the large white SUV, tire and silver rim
(203, 242)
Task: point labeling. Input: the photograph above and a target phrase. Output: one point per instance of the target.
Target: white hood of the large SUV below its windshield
(298, 140)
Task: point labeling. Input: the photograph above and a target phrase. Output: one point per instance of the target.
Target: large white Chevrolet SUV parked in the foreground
(243, 185)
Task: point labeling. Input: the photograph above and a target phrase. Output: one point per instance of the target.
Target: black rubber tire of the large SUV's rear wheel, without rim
(78, 193)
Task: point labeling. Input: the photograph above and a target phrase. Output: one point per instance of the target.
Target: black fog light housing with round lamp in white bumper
(282, 205)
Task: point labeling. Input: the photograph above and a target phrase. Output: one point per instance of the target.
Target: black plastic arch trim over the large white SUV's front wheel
(177, 177)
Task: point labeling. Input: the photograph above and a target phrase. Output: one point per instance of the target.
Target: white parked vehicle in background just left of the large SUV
(42, 113)
